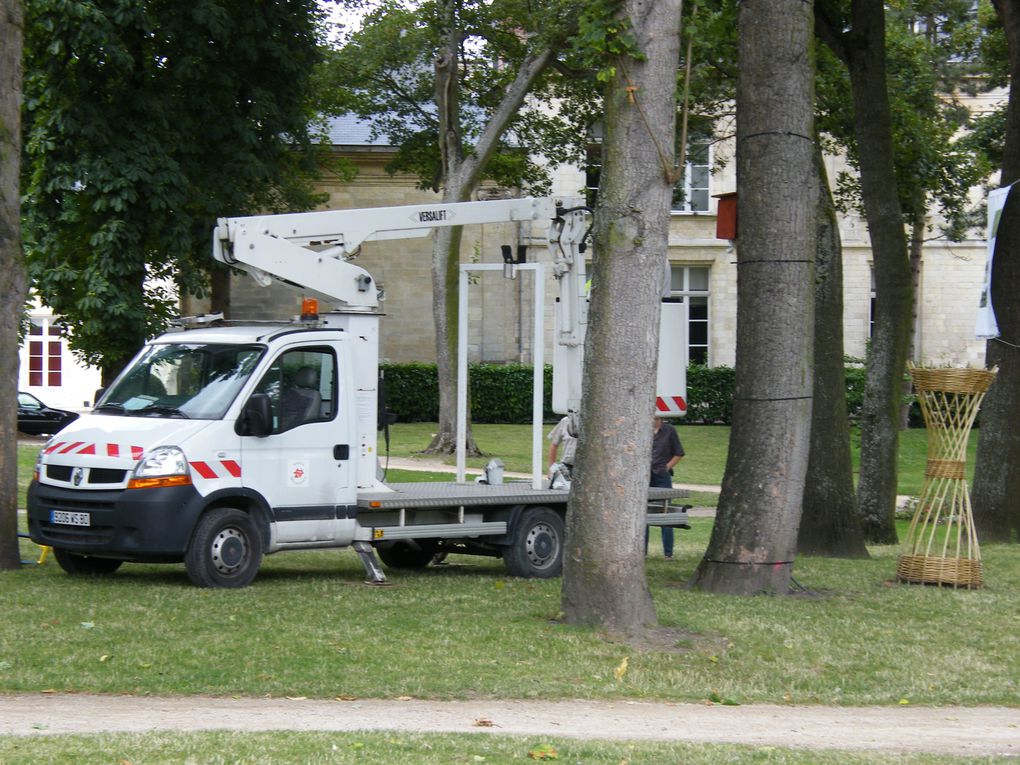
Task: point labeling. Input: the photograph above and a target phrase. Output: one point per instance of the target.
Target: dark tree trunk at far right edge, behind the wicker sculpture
(997, 473)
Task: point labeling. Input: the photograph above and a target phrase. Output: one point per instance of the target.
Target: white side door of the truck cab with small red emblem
(303, 469)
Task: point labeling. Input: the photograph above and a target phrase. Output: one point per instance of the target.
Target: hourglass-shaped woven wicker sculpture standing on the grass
(942, 547)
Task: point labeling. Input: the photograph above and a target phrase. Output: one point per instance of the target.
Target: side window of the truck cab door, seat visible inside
(302, 388)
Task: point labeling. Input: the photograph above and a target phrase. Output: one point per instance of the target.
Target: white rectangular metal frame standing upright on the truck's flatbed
(538, 360)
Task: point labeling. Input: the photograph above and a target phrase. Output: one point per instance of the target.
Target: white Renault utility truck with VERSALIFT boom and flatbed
(219, 445)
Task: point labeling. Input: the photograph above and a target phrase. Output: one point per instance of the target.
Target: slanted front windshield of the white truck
(188, 381)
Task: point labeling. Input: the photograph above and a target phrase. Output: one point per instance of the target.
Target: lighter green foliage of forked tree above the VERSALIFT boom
(384, 73)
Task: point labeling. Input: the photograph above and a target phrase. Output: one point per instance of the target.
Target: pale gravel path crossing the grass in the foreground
(964, 732)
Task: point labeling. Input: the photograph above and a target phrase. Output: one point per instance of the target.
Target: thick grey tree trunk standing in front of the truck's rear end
(604, 581)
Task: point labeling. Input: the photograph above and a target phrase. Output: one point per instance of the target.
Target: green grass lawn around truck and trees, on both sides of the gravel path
(309, 627)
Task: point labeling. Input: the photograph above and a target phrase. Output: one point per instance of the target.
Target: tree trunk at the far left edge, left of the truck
(13, 280)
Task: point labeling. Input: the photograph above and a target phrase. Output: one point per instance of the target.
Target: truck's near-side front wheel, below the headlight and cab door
(226, 550)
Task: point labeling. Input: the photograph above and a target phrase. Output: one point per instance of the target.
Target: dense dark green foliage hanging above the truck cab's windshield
(145, 121)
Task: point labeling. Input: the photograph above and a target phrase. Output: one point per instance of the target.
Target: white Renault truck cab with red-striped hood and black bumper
(249, 434)
